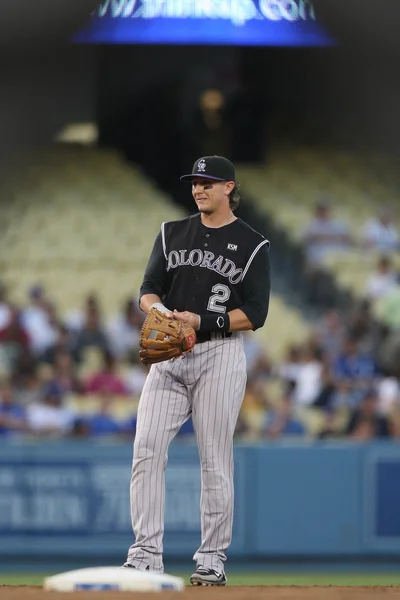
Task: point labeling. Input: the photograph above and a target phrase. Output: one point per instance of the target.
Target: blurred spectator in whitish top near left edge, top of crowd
(39, 320)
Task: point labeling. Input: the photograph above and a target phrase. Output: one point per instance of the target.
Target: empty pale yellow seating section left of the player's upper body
(81, 220)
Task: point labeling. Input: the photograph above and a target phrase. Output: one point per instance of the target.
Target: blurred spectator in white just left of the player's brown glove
(124, 330)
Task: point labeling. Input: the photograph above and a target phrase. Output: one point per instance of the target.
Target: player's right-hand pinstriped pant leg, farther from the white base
(216, 405)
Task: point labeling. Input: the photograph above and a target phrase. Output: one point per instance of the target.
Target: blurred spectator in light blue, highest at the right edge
(380, 233)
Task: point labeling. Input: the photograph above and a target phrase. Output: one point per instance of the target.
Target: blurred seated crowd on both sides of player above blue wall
(78, 374)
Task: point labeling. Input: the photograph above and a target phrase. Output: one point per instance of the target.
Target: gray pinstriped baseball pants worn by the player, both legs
(207, 384)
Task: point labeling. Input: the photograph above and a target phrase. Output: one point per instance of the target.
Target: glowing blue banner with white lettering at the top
(206, 22)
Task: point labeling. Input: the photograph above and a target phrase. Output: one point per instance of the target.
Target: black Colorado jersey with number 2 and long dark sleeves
(209, 270)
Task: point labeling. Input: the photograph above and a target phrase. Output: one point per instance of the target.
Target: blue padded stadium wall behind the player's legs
(324, 500)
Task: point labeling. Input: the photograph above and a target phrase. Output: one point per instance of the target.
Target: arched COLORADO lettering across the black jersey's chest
(197, 258)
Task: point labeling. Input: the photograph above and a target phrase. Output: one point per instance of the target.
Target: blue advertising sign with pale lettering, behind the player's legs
(88, 499)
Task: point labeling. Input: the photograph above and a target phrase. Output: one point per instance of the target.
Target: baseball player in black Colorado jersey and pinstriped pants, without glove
(211, 271)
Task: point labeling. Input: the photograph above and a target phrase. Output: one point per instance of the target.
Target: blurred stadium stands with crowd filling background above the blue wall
(97, 170)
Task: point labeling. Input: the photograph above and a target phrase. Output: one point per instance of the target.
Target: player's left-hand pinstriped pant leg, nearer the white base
(163, 408)
